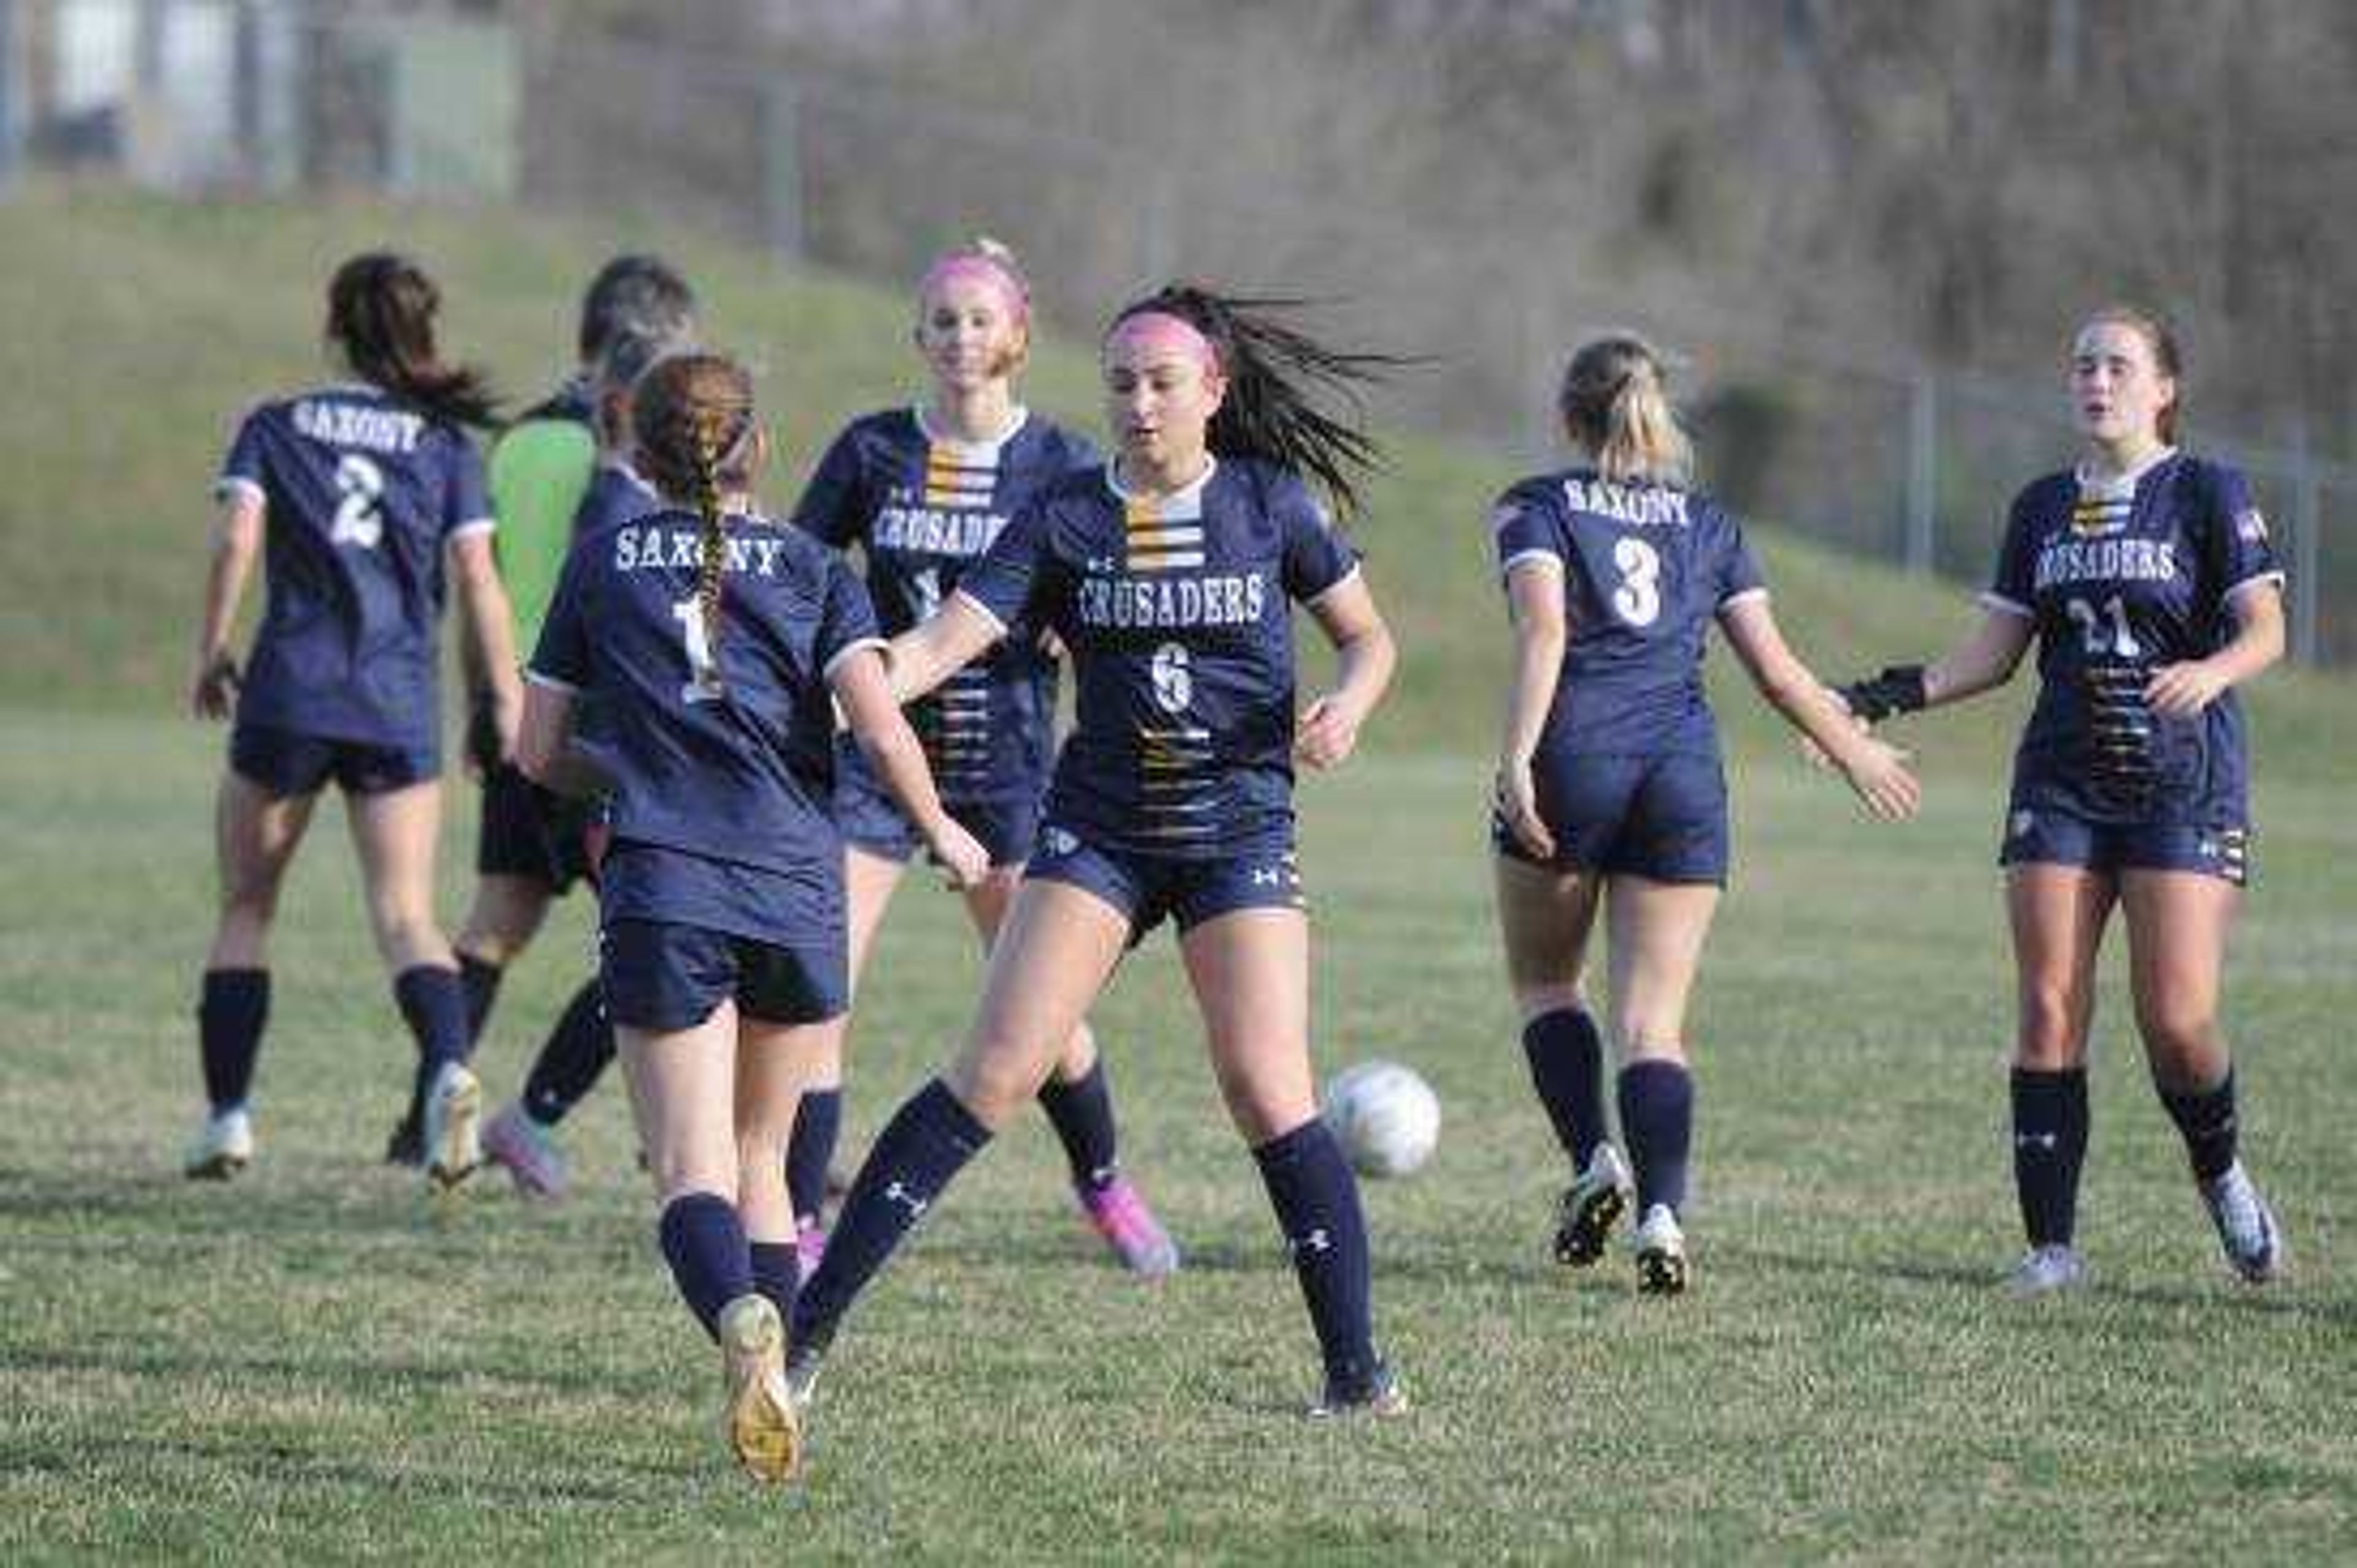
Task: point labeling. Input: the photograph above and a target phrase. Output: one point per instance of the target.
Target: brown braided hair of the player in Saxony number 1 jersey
(694, 426)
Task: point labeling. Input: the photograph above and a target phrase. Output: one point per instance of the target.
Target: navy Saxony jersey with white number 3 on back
(1646, 569)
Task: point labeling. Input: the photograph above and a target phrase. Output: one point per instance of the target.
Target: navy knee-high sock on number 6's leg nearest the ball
(1316, 1197)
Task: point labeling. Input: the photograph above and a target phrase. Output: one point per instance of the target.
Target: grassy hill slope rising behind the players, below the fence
(143, 329)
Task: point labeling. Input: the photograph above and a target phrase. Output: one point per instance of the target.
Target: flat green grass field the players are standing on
(310, 1366)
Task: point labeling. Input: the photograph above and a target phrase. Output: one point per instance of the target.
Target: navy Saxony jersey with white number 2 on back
(362, 494)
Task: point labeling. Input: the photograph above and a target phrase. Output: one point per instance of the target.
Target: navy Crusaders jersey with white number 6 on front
(1180, 621)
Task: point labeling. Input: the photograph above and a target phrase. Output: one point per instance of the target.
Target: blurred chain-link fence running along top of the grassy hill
(1901, 461)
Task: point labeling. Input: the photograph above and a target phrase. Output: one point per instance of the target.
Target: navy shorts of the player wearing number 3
(1663, 819)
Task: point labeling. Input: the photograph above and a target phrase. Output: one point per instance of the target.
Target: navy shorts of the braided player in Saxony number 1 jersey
(666, 977)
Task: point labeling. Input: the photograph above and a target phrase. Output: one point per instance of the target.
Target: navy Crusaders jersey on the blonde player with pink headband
(923, 510)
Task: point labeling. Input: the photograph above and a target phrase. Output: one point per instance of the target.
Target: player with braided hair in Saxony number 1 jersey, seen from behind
(715, 645)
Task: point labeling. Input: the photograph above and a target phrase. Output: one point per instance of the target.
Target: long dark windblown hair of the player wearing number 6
(1276, 386)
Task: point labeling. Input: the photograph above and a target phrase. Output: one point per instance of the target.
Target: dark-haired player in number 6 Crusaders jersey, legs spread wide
(1170, 574)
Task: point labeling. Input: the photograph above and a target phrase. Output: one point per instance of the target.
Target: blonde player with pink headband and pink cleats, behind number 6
(923, 492)
